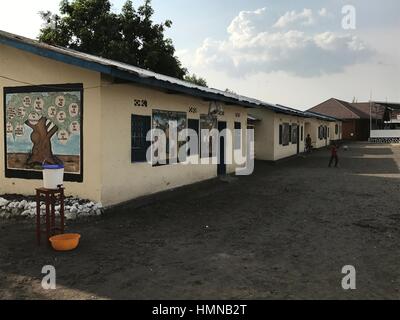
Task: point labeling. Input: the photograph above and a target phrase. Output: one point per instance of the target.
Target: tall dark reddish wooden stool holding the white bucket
(50, 197)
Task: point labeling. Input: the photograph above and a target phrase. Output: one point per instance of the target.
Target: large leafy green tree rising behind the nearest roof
(130, 36)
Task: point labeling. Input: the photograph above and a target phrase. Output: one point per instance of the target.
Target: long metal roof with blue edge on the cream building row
(135, 74)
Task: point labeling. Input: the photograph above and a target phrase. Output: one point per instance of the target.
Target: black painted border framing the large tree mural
(35, 175)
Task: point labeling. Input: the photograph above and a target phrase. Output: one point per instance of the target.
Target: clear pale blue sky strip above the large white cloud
(195, 20)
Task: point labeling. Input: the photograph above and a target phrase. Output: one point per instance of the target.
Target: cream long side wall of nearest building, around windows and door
(123, 180)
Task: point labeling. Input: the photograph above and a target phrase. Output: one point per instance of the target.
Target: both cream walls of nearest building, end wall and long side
(109, 176)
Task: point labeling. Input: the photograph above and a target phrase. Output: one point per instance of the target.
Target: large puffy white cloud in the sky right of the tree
(251, 48)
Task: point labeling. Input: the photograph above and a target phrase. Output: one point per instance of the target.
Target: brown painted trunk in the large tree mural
(41, 150)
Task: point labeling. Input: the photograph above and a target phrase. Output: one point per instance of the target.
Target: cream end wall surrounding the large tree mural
(29, 68)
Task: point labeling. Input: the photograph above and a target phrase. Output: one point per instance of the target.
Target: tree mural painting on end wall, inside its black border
(43, 126)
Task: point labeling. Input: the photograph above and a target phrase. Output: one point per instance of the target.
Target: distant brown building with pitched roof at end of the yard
(356, 117)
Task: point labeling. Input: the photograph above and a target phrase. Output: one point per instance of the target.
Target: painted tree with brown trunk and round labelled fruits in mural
(48, 115)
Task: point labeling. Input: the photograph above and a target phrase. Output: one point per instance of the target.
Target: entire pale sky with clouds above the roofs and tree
(304, 59)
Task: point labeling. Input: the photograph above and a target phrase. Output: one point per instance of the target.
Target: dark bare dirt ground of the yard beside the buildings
(284, 232)
